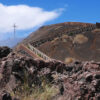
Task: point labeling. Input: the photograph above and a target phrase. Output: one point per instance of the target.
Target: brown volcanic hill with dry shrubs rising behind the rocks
(67, 40)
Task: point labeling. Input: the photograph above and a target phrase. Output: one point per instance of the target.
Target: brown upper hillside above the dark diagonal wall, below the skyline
(51, 30)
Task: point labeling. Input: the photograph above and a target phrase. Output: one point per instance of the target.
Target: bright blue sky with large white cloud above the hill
(44, 12)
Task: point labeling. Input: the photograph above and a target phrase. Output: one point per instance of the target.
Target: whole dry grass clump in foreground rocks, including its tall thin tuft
(44, 92)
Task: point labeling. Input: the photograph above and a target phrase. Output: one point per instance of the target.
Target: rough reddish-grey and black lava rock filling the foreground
(76, 81)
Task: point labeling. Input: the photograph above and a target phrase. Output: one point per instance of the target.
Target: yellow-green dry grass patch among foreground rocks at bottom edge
(45, 93)
